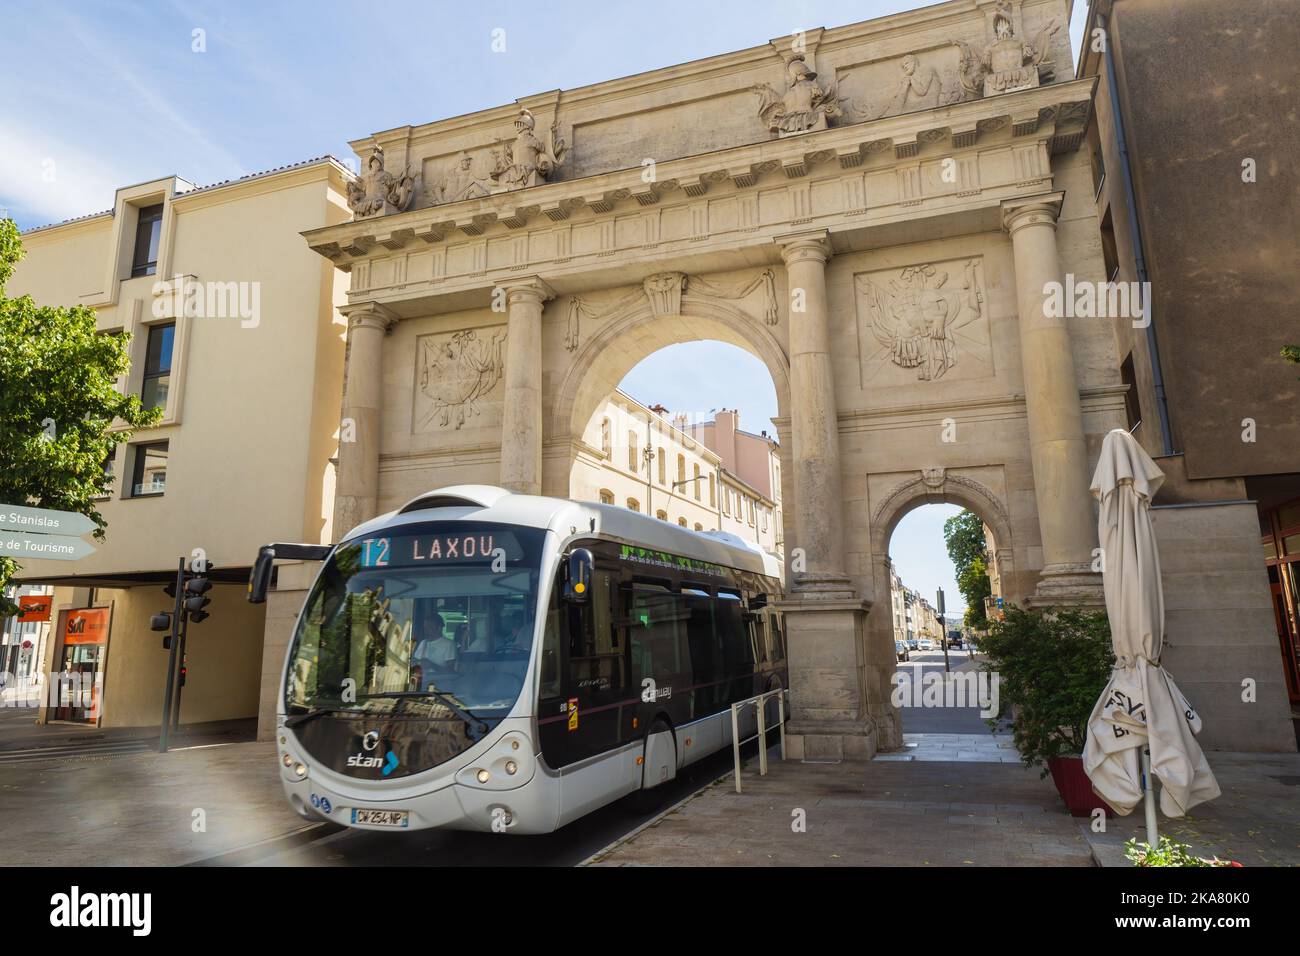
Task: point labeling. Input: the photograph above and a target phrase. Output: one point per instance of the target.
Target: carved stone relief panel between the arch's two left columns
(454, 373)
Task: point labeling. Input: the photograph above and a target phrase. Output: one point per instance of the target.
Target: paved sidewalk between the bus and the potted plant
(885, 814)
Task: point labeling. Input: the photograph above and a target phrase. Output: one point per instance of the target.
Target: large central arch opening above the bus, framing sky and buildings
(682, 418)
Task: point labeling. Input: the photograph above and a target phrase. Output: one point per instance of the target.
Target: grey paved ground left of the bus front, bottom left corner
(140, 810)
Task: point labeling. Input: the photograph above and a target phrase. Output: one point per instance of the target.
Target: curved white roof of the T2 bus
(577, 520)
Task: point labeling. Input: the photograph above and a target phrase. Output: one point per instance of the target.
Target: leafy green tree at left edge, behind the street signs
(58, 404)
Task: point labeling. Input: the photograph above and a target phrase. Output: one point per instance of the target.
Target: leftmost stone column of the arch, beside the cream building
(358, 487)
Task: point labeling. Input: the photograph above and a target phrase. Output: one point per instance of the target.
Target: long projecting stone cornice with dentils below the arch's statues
(1056, 115)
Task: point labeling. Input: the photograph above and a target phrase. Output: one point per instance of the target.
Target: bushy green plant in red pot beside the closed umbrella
(1052, 665)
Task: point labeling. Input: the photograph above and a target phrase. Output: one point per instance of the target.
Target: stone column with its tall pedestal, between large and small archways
(831, 677)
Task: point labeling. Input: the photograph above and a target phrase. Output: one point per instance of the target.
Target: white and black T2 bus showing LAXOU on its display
(482, 660)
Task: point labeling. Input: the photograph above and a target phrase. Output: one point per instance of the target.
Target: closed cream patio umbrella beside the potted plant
(1142, 708)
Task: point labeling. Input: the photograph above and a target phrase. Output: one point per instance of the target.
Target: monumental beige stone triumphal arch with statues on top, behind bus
(872, 210)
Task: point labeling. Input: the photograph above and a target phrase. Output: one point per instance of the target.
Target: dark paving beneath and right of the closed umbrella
(1256, 821)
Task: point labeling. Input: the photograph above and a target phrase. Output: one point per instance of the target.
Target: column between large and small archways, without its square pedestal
(814, 422)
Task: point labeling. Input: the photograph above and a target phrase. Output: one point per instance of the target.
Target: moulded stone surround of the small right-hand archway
(930, 487)
